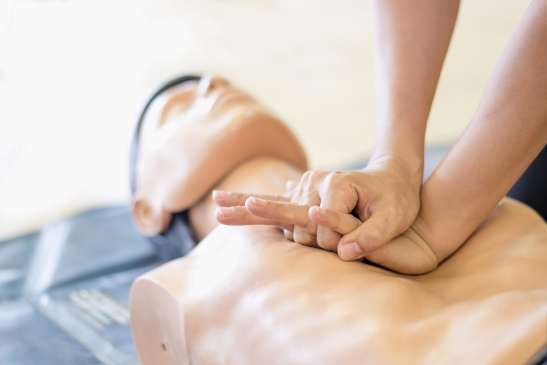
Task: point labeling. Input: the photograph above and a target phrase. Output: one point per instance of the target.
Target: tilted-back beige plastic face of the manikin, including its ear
(192, 135)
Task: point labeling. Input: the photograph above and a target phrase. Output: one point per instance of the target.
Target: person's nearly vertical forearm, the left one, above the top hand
(412, 39)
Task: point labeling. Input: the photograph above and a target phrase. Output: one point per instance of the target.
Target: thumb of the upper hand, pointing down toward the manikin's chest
(367, 238)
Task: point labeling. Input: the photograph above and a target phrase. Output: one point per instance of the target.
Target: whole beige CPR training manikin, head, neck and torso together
(246, 295)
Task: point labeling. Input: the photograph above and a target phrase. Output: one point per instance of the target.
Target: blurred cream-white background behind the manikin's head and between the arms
(75, 73)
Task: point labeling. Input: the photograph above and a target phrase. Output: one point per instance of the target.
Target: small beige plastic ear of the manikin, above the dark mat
(150, 221)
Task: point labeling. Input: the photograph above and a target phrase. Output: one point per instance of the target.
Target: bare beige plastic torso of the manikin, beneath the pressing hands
(245, 295)
